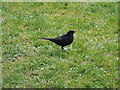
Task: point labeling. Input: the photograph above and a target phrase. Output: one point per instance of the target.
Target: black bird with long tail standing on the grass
(64, 40)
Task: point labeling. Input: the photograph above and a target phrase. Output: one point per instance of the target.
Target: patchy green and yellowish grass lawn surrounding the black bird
(91, 61)
